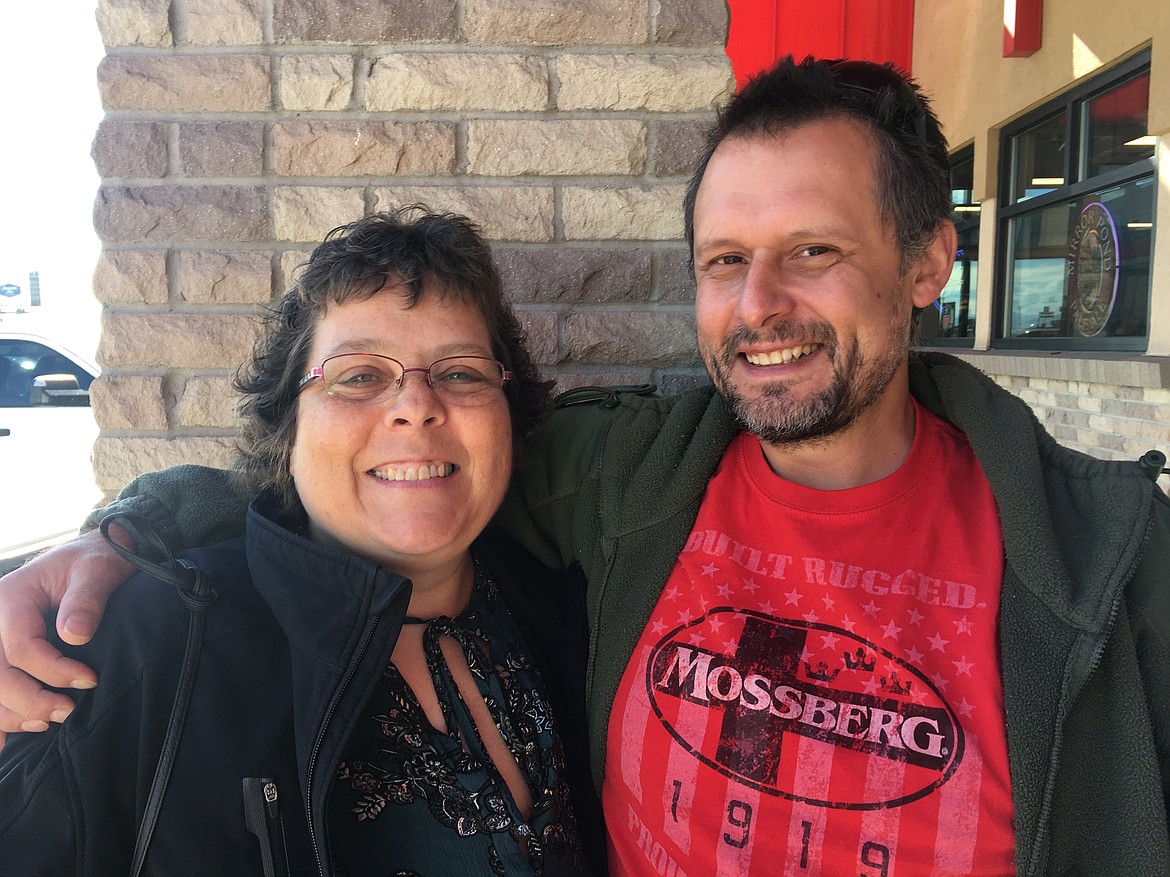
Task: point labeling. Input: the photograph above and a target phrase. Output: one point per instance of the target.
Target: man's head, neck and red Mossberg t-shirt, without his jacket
(862, 669)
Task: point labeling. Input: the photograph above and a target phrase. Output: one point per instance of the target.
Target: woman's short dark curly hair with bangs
(417, 252)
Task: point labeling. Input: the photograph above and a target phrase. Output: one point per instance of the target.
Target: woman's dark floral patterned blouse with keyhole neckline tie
(409, 800)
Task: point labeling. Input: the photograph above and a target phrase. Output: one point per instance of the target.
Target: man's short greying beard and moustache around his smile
(775, 417)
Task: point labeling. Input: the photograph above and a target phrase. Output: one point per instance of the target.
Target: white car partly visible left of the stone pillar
(47, 433)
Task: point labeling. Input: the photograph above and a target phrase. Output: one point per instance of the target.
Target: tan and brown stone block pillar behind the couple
(238, 133)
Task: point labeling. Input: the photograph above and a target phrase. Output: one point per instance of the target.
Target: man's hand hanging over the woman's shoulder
(79, 577)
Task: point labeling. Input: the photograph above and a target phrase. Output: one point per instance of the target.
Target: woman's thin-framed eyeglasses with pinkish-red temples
(373, 378)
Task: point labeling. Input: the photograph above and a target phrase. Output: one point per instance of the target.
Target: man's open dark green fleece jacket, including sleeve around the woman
(1085, 607)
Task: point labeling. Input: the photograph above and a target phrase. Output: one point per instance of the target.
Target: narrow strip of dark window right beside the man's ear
(953, 314)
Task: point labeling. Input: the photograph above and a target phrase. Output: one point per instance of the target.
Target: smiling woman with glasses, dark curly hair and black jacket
(364, 702)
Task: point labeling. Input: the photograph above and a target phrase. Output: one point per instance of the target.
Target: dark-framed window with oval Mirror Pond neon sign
(1077, 218)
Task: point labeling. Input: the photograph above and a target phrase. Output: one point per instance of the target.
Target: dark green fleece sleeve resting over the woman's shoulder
(188, 506)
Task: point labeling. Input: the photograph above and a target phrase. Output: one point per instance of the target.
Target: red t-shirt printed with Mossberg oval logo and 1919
(818, 689)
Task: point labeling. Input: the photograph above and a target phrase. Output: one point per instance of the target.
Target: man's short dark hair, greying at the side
(912, 168)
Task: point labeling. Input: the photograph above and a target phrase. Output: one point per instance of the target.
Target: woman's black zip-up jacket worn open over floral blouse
(294, 646)
